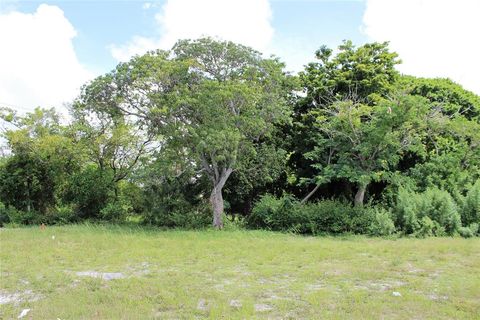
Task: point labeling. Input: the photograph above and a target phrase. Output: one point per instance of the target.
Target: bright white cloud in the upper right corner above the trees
(434, 38)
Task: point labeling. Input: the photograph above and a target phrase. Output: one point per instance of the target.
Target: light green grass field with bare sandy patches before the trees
(235, 275)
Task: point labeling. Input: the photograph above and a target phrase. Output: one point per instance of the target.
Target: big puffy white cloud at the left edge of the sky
(38, 63)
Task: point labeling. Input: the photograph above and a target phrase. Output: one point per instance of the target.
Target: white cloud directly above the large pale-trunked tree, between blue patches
(242, 21)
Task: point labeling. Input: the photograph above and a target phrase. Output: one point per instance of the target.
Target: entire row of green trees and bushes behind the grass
(213, 130)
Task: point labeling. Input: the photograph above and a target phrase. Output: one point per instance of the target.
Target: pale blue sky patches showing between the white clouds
(100, 24)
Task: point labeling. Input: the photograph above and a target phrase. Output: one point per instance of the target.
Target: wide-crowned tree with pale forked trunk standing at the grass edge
(209, 99)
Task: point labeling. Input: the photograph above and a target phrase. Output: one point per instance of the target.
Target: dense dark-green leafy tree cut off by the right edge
(451, 155)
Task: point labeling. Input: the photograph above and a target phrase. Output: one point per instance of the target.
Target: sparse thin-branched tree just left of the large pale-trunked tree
(112, 140)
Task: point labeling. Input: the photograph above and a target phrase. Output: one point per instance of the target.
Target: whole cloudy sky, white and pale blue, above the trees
(50, 48)
